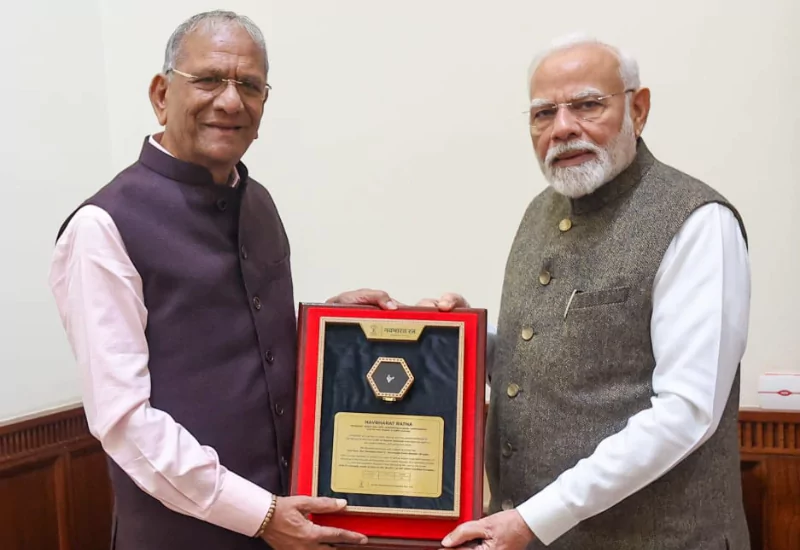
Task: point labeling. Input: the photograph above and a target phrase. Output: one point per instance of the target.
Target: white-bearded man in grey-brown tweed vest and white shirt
(624, 317)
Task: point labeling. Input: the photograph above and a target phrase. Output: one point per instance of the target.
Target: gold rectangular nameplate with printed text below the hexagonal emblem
(386, 454)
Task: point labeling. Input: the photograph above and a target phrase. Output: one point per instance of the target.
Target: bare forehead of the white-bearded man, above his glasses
(568, 72)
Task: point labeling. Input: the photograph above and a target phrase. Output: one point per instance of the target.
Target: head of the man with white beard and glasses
(585, 144)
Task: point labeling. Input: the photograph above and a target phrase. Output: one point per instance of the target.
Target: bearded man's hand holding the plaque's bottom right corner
(502, 531)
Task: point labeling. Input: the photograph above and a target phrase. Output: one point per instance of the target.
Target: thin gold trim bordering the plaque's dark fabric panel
(456, 511)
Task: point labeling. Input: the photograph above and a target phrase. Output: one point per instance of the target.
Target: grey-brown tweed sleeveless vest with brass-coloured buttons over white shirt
(581, 377)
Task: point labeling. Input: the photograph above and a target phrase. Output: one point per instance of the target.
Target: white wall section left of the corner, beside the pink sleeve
(53, 151)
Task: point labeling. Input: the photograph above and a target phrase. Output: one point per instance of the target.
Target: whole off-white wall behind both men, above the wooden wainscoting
(394, 143)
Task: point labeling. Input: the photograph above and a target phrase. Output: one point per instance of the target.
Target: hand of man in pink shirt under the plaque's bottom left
(289, 527)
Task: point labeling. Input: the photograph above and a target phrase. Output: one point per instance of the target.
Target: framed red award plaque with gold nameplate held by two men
(390, 410)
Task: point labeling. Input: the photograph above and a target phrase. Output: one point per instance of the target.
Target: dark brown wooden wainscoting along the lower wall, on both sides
(55, 493)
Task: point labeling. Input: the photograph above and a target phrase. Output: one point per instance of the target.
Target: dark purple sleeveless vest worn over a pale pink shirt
(221, 331)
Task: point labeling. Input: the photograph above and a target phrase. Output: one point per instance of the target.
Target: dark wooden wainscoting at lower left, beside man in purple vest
(54, 487)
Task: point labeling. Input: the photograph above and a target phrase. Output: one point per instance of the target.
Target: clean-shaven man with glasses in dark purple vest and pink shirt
(174, 286)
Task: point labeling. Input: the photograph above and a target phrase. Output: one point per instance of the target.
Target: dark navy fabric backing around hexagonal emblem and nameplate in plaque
(433, 360)
